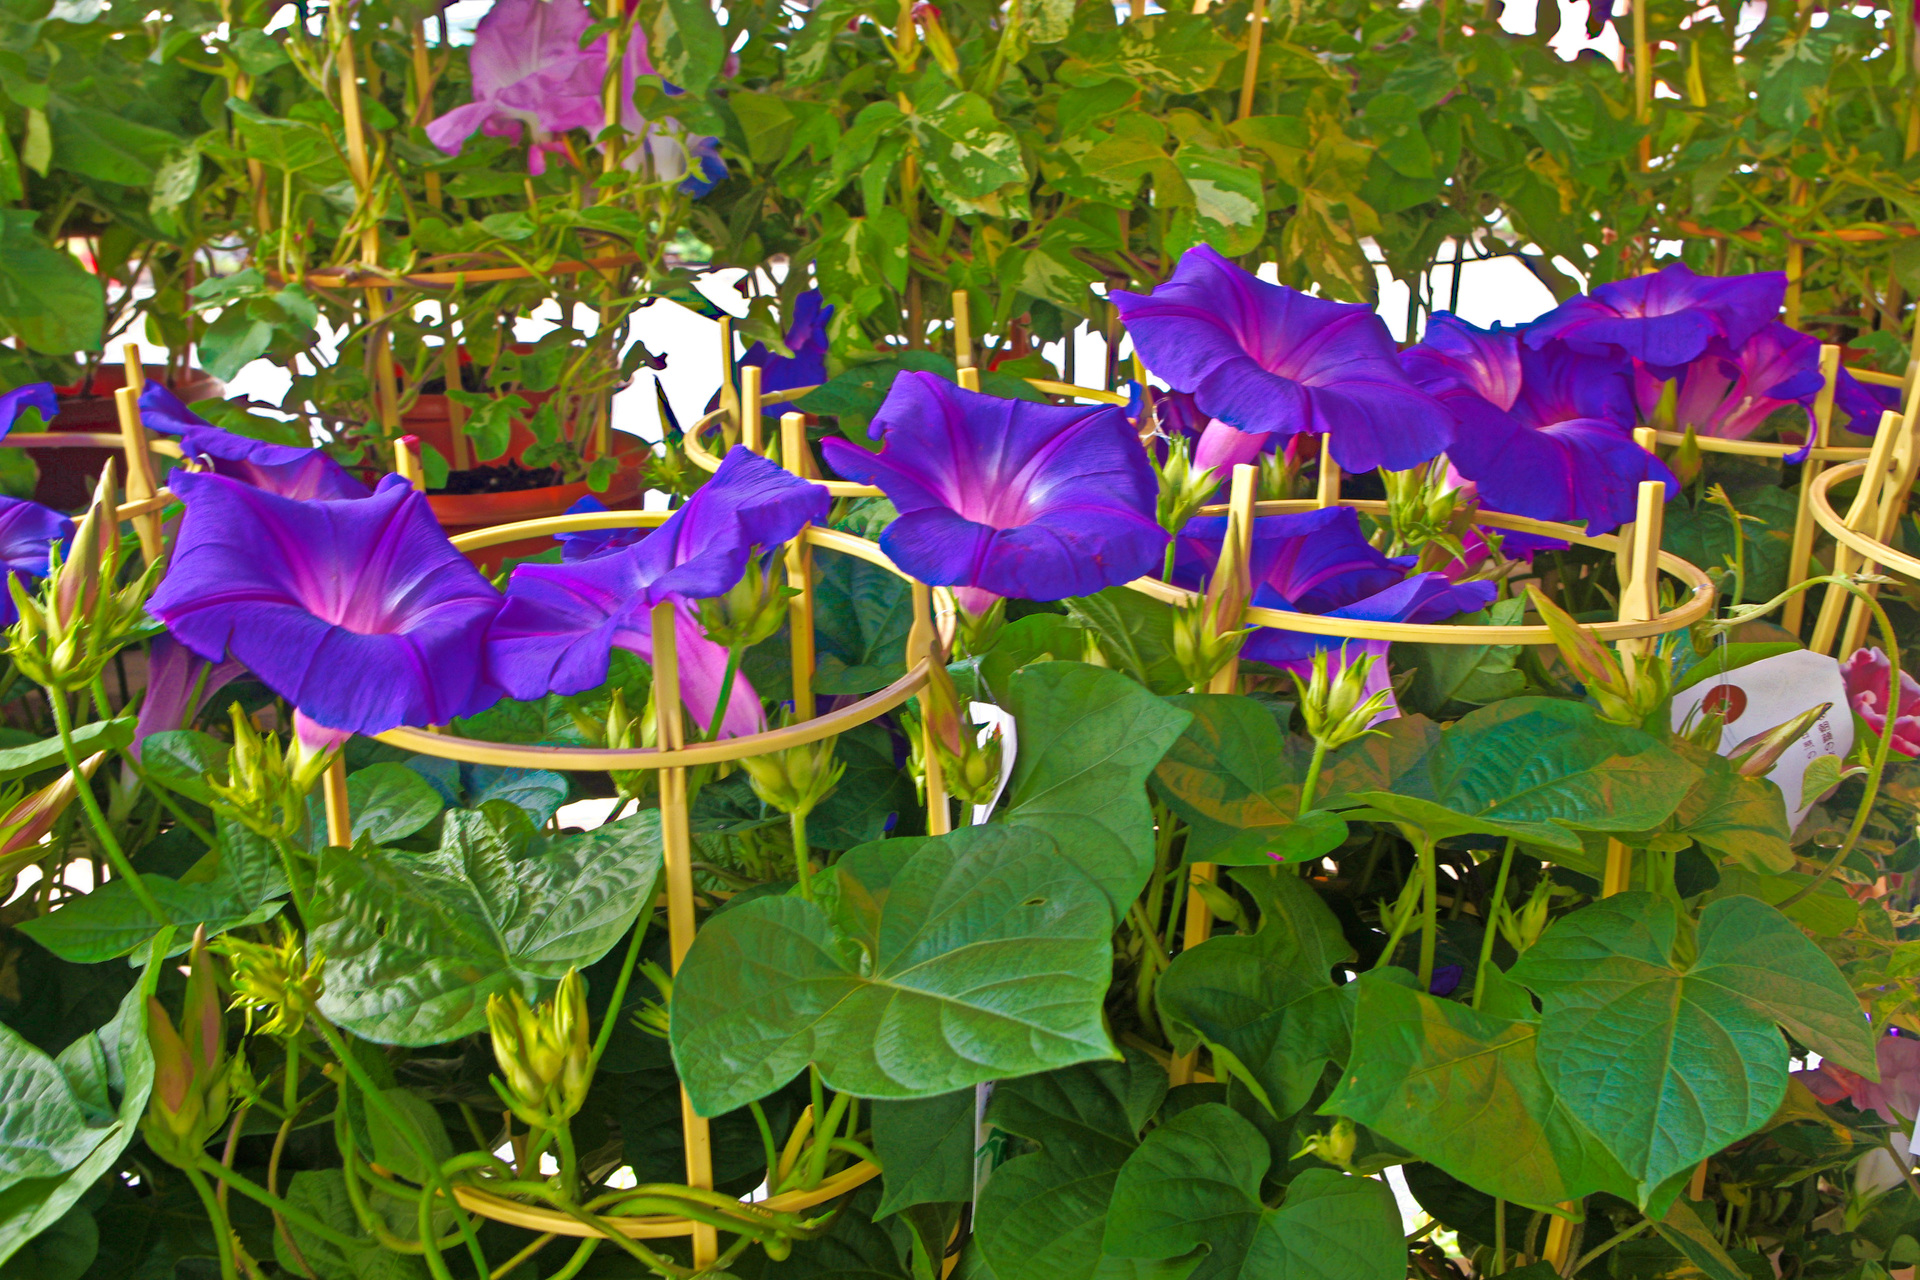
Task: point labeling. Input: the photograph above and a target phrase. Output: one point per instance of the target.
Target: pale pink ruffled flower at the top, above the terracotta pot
(531, 72)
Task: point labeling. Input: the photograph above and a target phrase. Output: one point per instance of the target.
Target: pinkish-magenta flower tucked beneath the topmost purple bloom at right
(1729, 396)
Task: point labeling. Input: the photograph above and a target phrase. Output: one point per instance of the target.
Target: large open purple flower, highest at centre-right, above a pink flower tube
(1270, 360)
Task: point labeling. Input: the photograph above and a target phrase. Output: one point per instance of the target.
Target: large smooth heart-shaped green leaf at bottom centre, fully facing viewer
(986, 955)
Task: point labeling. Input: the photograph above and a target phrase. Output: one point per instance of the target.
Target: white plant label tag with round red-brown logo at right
(1767, 694)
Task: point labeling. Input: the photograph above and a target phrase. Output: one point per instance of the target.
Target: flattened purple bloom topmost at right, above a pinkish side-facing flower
(1666, 320)
